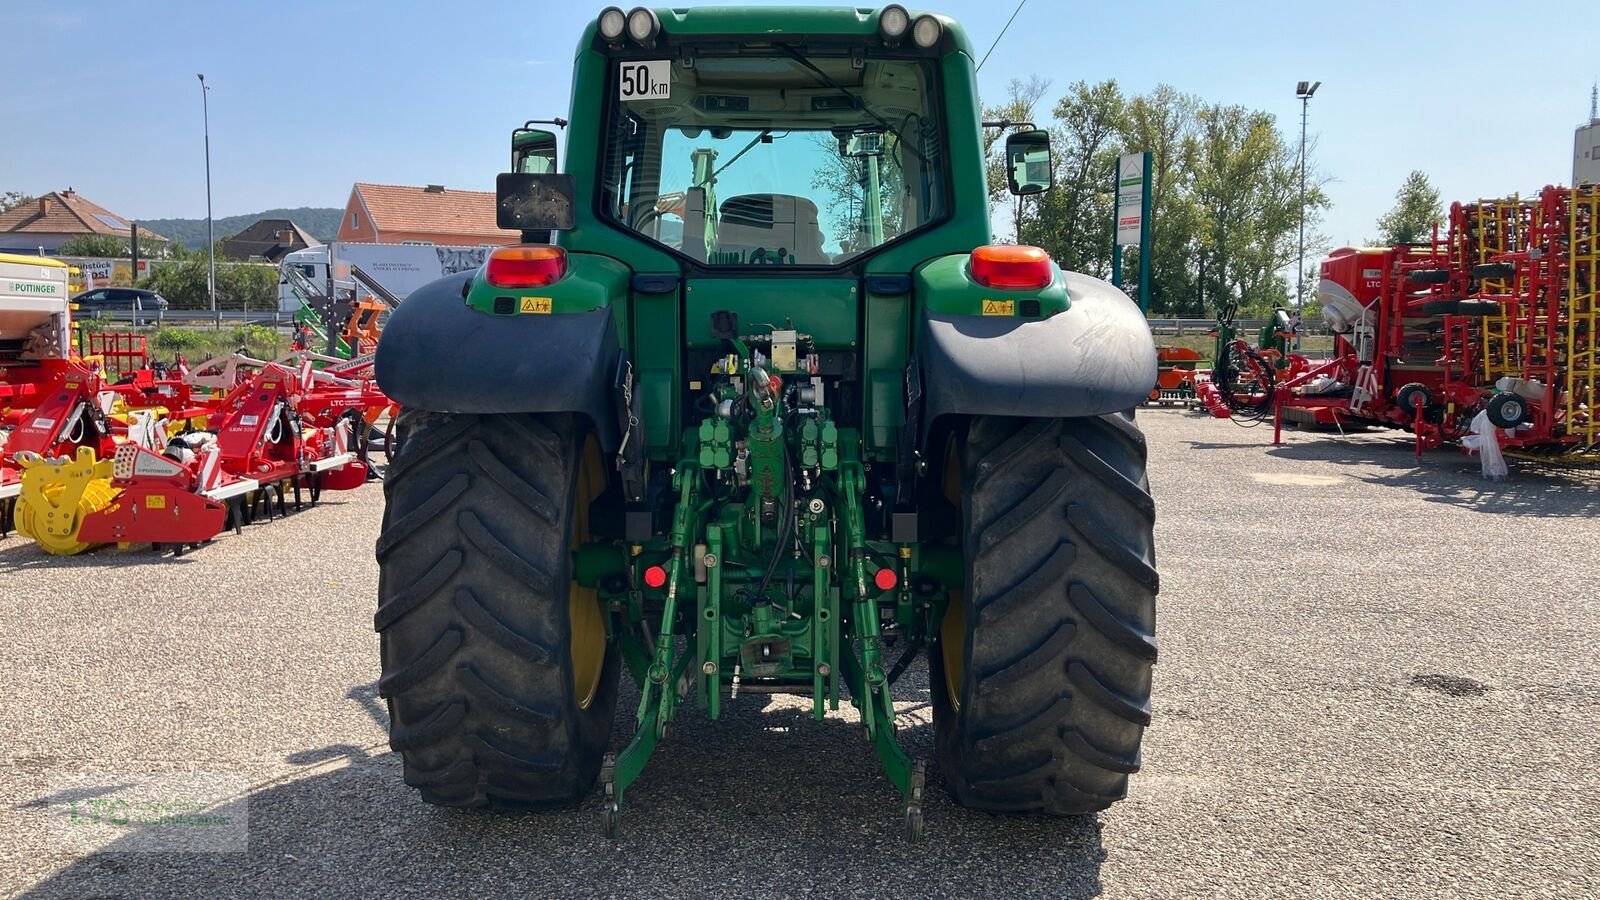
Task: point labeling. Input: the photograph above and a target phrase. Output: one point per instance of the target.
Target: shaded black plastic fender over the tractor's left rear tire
(436, 353)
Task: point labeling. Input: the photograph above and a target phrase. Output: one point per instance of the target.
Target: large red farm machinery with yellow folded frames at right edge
(1498, 316)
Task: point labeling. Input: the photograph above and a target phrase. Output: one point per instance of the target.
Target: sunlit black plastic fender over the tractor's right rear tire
(1092, 360)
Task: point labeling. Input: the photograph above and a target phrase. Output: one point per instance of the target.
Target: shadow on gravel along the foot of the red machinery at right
(1442, 476)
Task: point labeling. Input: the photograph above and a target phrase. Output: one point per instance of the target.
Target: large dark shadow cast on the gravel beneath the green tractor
(761, 803)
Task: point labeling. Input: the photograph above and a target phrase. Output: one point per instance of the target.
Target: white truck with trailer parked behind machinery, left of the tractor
(399, 268)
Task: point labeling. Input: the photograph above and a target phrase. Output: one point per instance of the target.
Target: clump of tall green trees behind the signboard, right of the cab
(1225, 195)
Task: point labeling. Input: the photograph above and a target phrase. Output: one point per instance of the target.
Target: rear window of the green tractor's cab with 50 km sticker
(791, 158)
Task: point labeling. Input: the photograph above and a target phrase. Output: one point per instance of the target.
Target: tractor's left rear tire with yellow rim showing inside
(478, 611)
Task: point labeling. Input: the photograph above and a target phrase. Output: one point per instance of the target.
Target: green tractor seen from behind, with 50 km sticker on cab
(756, 408)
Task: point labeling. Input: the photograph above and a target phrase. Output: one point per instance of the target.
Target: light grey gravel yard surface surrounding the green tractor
(1334, 718)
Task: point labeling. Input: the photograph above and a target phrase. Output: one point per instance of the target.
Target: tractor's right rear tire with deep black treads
(1042, 677)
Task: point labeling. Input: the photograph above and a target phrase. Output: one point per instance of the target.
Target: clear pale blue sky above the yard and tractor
(103, 97)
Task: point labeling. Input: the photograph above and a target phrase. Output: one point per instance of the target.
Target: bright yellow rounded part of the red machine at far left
(58, 496)
